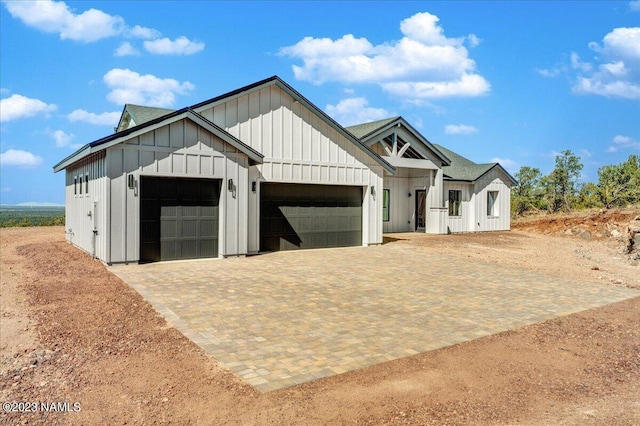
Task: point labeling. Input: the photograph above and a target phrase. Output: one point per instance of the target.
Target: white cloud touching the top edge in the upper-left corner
(56, 17)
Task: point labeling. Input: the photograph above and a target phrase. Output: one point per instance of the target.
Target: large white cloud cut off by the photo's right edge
(618, 74)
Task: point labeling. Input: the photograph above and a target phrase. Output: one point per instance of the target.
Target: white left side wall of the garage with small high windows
(79, 224)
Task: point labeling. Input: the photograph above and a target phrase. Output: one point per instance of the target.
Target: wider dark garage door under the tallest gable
(296, 216)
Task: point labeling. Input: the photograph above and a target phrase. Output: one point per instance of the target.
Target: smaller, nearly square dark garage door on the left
(178, 218)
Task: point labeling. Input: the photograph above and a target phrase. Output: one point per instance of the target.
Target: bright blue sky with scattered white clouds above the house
(515, 82)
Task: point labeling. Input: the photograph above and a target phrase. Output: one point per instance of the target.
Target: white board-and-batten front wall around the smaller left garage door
(180, 149)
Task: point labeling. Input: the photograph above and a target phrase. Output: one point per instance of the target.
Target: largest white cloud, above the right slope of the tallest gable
(422, 64)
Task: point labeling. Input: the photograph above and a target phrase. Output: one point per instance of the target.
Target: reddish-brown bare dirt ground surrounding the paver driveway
(72, 332)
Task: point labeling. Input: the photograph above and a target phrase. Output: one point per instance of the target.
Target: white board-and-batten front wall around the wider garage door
(298, 147)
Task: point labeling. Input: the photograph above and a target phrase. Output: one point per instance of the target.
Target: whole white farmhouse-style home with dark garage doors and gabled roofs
(262, 169)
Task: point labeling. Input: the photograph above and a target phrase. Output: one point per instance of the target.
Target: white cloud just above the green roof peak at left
(130, 87)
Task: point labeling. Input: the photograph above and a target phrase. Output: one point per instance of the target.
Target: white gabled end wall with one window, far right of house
(492, 181)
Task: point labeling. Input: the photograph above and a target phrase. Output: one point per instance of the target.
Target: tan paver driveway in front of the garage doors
(285, 318)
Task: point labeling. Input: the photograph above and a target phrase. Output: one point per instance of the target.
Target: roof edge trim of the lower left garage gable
(184, 113)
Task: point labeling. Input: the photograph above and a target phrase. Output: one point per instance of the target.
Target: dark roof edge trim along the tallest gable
(297, 96)
